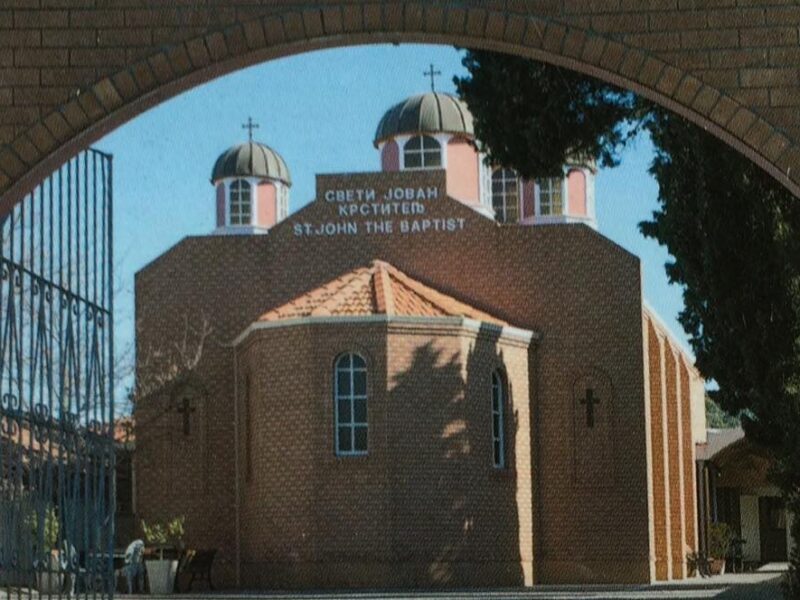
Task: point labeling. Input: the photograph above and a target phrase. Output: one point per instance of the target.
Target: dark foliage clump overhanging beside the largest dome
(531, 115)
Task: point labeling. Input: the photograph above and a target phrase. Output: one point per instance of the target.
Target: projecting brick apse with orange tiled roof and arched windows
(374, 457)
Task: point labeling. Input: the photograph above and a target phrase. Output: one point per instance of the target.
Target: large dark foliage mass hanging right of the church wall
(734, 234)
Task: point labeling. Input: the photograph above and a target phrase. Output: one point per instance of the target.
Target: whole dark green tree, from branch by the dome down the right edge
(732, 230)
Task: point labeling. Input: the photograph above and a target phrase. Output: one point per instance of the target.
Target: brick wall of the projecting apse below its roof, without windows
(425, 506)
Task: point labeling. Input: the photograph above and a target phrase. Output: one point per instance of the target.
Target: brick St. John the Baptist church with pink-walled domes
(436, 374)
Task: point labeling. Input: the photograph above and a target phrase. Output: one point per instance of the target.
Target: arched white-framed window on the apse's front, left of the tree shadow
(350, 404)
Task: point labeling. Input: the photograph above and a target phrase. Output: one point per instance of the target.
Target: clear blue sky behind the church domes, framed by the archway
(319, 110)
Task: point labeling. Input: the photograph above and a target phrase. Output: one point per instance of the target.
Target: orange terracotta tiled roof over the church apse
(375, 290)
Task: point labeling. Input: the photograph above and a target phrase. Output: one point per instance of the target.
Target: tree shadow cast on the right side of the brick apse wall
(455, 520)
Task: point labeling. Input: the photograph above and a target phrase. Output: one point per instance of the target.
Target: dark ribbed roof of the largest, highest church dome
(433, 112)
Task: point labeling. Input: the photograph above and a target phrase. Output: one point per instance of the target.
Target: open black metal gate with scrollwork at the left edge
(56, 386)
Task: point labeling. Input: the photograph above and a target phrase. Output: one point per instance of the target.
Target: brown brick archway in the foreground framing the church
(71, 73)
